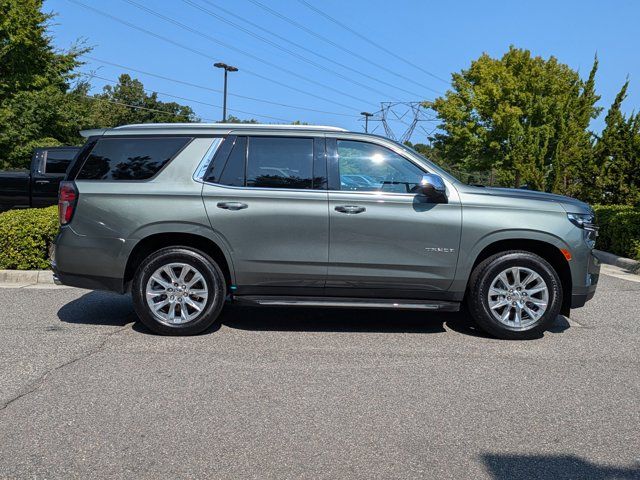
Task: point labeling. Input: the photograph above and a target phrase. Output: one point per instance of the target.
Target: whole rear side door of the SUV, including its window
(272, 212)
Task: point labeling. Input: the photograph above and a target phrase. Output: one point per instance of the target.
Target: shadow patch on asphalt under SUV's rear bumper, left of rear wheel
(99, 308)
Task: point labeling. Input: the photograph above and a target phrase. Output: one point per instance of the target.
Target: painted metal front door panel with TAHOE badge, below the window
(397, 242)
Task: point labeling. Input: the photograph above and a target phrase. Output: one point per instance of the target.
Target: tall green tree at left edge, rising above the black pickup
(35, 109)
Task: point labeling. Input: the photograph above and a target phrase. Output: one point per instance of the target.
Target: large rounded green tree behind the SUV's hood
(524, 117)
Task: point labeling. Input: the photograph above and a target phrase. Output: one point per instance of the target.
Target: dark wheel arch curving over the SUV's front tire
(550, 252)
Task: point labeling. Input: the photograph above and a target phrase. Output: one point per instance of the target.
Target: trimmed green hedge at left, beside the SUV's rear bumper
(26, 236)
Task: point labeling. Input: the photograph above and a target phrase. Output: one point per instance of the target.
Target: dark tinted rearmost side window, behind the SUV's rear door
(129, 158)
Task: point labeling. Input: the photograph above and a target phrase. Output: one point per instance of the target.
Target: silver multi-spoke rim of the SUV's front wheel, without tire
(518, 297)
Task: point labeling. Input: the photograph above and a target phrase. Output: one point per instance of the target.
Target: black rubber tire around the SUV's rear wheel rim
(205, 265)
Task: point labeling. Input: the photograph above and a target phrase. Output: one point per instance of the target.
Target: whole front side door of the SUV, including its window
(383, 235)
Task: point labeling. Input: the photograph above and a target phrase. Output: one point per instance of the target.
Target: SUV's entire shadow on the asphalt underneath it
(105, 308)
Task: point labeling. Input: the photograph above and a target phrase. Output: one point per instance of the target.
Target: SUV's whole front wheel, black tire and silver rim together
(514, 295)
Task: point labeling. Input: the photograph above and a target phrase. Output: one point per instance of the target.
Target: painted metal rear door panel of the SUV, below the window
(279, 239)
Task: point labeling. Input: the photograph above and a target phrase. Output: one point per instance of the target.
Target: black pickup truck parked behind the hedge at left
(38, 186)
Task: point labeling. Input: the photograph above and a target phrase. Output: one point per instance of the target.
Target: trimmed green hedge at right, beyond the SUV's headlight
(619, 229)
